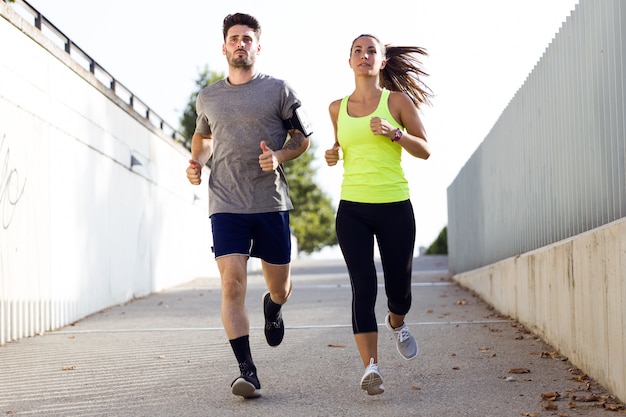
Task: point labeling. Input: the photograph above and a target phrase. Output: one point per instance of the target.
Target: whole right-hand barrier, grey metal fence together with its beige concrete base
(536, 217)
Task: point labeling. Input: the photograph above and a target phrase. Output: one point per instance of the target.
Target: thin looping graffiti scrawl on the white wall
(11, 186)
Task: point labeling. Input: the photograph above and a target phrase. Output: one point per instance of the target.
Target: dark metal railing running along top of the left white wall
(29, 13)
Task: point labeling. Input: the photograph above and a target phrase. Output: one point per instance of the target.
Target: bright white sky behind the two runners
(481, 52)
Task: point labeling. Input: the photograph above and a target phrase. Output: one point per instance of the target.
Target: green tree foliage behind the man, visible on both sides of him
(313, 217)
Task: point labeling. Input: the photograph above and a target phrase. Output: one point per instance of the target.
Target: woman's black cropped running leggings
(393, 224)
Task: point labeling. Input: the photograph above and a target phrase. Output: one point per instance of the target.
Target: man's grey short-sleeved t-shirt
(239, 117)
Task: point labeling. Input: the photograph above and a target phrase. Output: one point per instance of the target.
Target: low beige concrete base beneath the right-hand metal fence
(572, 294)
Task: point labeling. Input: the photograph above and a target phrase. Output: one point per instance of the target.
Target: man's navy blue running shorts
(263, 235)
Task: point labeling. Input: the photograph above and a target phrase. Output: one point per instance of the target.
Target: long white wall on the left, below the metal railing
(95, 208)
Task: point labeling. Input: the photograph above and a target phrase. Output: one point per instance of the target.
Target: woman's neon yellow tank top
(372, 164)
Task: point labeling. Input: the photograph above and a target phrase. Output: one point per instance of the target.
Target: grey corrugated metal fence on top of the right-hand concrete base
(553, 164)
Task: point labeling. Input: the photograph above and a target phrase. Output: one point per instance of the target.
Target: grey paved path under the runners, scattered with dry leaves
(167, 355)
